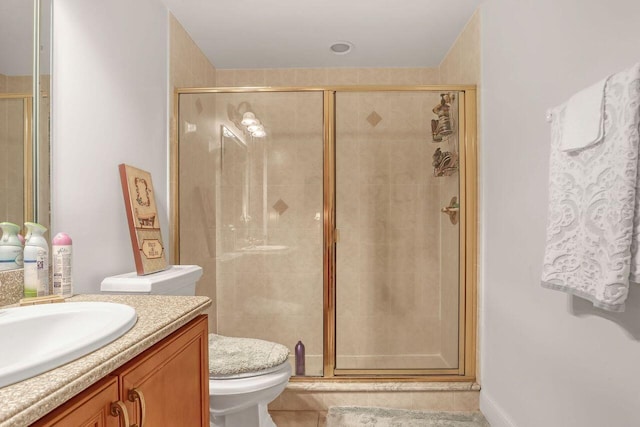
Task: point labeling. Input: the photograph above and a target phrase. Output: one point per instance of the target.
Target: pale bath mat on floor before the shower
(348, 416)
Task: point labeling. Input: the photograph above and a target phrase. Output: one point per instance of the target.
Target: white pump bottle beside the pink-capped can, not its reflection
(36, 261)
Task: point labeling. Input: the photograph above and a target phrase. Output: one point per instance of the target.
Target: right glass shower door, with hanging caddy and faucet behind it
(397, 257)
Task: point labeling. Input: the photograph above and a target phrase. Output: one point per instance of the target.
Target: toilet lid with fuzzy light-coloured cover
(229, 356)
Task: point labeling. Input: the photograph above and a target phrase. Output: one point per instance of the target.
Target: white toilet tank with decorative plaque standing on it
(175, 280)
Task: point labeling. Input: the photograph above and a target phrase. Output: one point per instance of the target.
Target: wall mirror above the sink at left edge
(25, 70)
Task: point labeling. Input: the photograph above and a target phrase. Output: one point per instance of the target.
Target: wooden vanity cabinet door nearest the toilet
(170, 380)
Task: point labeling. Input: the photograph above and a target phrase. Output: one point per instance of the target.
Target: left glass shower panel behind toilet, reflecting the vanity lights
(251, 212)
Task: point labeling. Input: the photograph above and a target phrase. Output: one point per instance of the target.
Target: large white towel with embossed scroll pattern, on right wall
(593, 229)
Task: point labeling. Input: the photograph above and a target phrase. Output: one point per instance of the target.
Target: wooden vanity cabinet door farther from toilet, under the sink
(91, 408)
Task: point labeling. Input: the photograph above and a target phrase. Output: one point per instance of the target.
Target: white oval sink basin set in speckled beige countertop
(38, 338)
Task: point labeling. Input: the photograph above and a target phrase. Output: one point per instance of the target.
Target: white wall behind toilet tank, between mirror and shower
(109, 107)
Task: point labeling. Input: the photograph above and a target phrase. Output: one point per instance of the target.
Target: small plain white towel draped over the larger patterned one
(583, 123)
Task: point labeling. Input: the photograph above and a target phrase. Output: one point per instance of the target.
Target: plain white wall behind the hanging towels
(547, 359)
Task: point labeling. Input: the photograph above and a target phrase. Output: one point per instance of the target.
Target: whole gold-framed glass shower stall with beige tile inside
(341, 217)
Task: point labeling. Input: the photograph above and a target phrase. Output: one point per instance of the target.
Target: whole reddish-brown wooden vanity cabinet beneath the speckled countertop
(167, 385)
